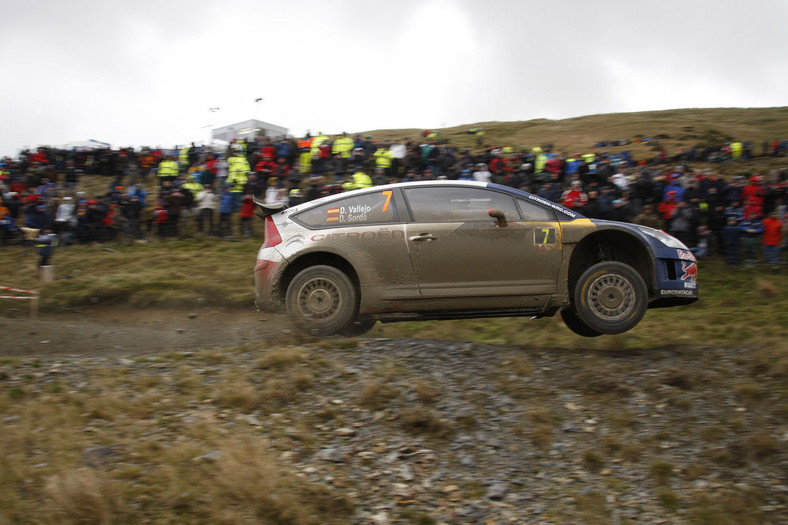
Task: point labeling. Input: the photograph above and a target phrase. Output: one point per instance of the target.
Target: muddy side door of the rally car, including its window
(458, 250)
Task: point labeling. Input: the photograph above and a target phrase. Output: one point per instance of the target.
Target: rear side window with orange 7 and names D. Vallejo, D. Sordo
(366, 208)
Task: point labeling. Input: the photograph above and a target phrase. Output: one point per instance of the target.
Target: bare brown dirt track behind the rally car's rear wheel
(135, 331)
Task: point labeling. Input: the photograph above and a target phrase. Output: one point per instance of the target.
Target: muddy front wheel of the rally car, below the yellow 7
(610, 298)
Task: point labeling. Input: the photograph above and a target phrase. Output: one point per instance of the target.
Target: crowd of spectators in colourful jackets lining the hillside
(159, 193)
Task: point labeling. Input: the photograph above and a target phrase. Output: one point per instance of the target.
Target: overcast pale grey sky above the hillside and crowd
(138, 72)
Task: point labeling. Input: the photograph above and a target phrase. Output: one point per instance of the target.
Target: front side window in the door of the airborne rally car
(453, 204)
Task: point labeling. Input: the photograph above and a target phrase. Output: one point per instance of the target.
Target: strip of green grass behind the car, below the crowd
(737, 307)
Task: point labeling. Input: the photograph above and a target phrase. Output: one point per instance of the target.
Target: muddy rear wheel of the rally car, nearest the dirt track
(321, 300)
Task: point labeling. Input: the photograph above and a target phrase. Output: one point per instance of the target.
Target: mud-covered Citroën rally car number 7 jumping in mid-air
(462, 249)
